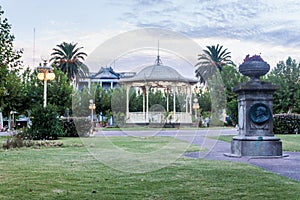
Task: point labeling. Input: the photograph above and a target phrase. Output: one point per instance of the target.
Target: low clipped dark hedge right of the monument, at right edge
(286, 123)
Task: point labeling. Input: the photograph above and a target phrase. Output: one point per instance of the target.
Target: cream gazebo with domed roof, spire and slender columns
(164, 78)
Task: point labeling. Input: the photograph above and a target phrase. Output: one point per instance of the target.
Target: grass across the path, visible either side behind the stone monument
(289, 142)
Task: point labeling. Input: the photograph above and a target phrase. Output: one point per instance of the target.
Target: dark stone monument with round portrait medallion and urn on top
(255, 113)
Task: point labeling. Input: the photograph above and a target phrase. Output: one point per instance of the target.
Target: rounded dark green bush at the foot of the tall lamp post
(45, 123)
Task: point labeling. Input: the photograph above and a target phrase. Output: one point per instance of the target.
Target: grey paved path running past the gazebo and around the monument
(287, 166)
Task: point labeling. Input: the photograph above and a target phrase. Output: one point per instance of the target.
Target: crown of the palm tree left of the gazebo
(67, 57)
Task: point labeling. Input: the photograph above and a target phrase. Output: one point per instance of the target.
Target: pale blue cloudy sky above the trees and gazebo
(267, 27)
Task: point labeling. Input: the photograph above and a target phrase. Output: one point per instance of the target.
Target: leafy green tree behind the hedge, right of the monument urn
(286, 75)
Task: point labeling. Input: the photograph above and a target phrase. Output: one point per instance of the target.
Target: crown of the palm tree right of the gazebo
(212, 60)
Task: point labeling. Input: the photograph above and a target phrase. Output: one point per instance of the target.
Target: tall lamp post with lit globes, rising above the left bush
(45, 73)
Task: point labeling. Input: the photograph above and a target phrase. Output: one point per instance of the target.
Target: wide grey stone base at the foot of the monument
(256, 146)
